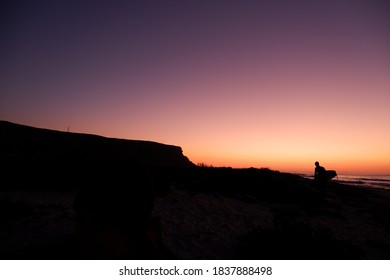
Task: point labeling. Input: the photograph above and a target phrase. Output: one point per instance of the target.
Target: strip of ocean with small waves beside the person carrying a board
(370, 181)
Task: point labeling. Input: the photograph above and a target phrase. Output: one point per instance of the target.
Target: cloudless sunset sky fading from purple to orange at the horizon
(276, 84)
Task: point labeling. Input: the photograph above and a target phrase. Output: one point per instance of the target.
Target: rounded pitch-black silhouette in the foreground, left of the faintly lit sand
(114, 216)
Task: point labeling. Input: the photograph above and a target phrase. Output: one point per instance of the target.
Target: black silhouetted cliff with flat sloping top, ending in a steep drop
(35, 157)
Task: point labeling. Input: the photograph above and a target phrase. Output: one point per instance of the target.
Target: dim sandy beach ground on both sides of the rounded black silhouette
(198, 223)
